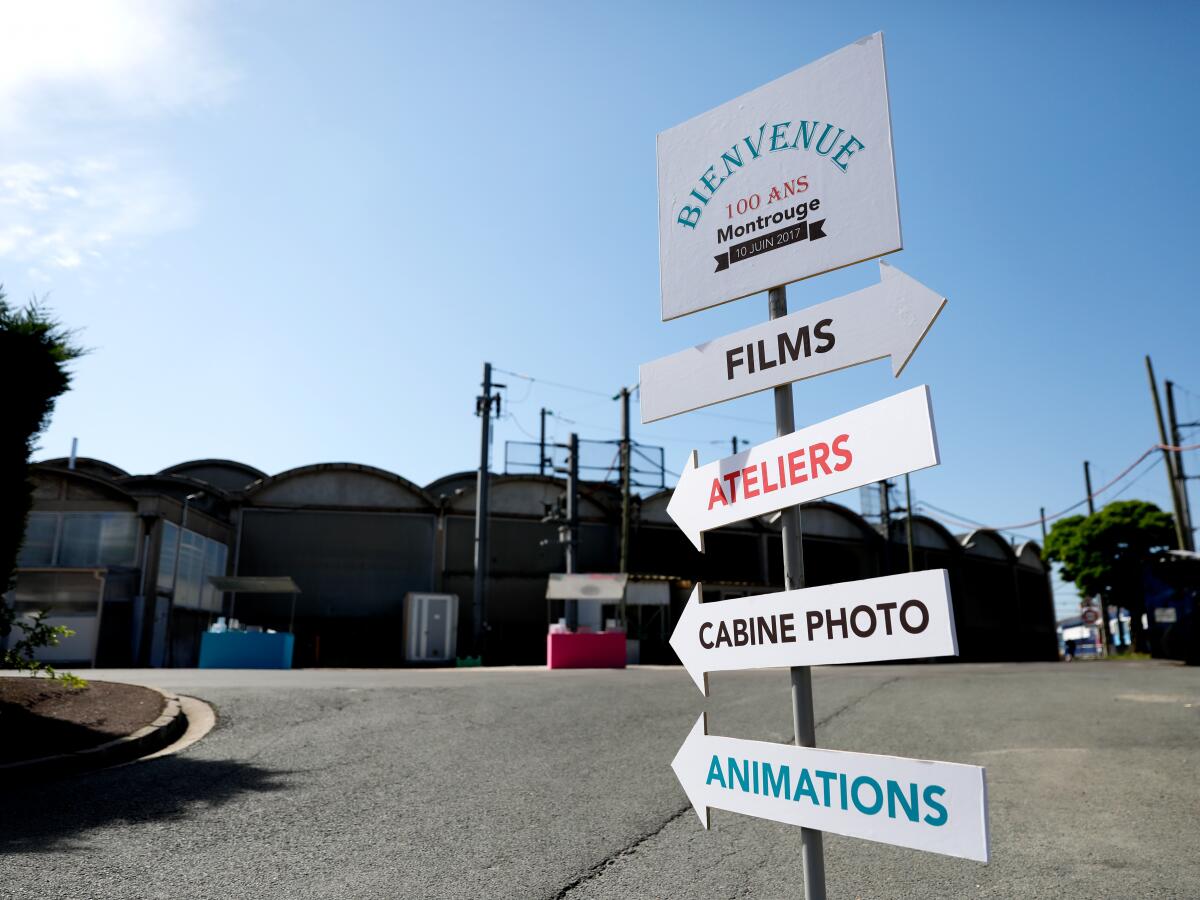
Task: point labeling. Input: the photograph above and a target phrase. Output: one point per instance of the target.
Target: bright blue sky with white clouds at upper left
(292, 233)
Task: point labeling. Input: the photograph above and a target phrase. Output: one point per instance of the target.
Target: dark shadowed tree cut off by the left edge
(35, 351)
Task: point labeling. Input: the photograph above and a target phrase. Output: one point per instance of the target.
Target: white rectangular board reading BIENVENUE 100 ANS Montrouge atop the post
(790, 181)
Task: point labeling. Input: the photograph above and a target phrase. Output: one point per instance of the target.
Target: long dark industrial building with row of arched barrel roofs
(104, 555)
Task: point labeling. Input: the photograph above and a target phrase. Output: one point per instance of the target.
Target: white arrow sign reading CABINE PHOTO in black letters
(896, 617)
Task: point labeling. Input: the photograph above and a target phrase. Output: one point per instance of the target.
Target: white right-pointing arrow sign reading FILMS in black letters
(886, 320)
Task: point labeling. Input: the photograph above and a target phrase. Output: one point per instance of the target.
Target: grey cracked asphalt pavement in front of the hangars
(527, 784)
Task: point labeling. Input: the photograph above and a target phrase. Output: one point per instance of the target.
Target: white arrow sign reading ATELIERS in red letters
(868, 445)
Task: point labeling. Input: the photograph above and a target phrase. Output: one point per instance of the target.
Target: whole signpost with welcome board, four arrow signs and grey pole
(788, 182)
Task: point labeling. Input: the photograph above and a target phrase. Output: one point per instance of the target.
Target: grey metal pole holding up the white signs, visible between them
(812, 845)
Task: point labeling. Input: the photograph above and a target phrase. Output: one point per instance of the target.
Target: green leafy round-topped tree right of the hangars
(1107, 554)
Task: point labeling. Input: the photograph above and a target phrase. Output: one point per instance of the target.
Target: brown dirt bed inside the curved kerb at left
(43, 718)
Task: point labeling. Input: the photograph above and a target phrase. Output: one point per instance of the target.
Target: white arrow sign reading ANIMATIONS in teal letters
(940, 807)
